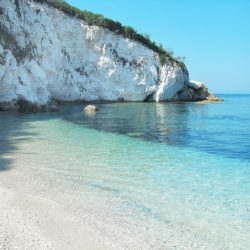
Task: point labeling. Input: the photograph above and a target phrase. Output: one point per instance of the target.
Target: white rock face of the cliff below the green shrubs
(46, 55)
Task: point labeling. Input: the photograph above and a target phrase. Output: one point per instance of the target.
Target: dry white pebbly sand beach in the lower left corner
(29, 221)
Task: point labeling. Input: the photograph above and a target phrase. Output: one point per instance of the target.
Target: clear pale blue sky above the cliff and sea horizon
(213, 36)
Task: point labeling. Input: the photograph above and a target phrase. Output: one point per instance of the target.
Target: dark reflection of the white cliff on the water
(159, 122)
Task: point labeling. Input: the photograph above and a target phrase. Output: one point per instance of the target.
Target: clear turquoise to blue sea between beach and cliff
(162, 176)
